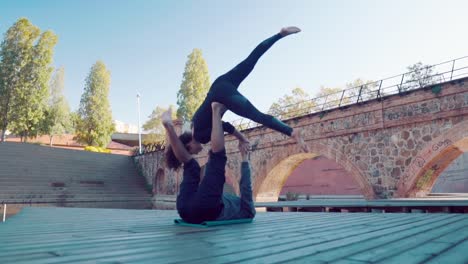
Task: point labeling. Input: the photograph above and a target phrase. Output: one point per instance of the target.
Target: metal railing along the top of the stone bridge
(398, 84)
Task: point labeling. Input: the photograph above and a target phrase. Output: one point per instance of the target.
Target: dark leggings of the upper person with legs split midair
(224, 90)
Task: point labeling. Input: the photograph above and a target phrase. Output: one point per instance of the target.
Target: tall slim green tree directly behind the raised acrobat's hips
(194, 87)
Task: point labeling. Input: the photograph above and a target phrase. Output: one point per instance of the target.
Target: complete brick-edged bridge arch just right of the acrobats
(286, 159)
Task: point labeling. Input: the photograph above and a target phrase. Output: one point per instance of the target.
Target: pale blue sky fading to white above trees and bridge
(145, 43)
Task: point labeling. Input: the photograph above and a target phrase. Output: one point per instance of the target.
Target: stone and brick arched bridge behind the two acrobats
(393, 147)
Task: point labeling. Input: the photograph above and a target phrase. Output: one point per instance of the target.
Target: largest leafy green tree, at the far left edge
(25, 70)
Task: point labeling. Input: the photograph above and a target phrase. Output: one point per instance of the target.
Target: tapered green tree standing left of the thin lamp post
(95, 125)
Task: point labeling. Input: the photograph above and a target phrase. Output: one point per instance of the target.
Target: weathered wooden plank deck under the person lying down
(77, 235)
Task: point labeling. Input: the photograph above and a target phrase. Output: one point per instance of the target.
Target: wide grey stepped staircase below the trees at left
(35, 175)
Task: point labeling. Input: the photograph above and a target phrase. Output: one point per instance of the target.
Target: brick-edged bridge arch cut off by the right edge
(425, 168)
